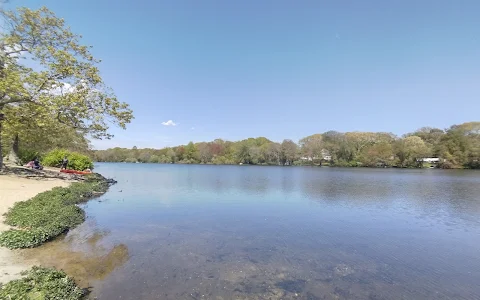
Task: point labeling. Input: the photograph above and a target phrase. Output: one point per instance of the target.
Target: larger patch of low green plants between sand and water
(49, 214)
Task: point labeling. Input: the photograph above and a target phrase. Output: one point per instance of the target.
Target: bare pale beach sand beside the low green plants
(14, 189)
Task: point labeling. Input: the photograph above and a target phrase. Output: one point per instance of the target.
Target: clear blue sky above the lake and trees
(281, 69)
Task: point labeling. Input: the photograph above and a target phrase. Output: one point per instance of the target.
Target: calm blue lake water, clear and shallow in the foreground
(242, 232)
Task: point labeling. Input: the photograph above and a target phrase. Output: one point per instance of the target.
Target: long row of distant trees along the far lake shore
(455, 147)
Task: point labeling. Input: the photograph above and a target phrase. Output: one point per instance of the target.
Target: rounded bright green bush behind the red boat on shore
(76, 161)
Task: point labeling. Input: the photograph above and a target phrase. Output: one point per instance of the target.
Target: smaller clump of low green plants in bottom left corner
(42, 283)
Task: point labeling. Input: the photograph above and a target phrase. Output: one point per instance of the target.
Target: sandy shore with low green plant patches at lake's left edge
(40, 211)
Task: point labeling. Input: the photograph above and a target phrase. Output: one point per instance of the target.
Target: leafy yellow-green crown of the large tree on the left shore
(46, 72)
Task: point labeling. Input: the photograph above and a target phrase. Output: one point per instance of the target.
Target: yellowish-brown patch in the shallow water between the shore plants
(93, 262)
